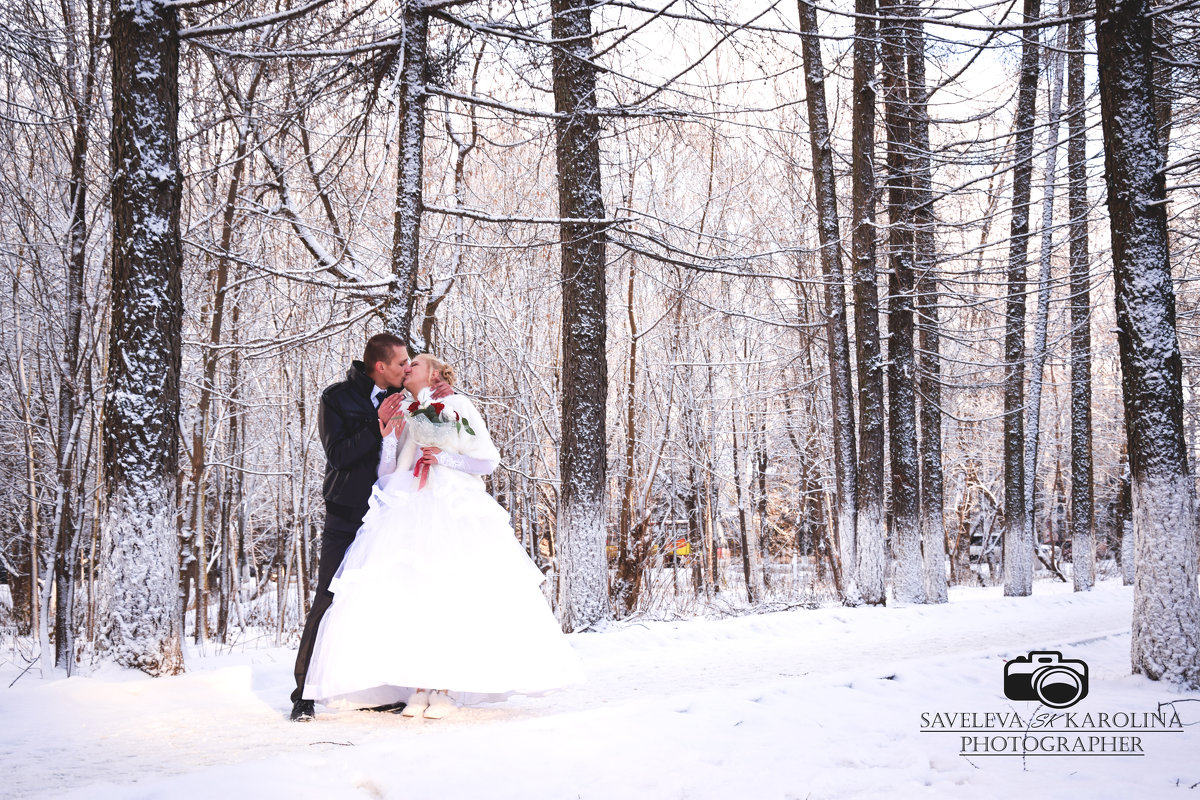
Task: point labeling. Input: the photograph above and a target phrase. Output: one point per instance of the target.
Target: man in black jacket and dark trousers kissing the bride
(350, 420)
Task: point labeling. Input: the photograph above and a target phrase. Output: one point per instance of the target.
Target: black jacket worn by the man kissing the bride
(350, 432)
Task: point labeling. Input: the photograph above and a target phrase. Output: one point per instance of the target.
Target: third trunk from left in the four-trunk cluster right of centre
(910, 579)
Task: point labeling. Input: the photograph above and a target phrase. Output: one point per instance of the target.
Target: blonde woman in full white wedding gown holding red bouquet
(436, 603)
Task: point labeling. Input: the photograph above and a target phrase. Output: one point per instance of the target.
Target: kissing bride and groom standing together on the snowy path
(425, 599)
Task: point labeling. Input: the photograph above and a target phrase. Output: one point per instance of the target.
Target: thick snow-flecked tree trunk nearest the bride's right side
(584, 592)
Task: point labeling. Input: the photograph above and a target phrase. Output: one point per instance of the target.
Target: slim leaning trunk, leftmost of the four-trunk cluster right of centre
(842, 390)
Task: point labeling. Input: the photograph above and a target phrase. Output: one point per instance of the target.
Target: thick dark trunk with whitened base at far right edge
(1167, 606)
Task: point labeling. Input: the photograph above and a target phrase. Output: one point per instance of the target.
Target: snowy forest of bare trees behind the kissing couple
(765, 304)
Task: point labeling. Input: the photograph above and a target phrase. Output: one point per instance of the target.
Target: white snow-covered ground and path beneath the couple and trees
(827, 703)
